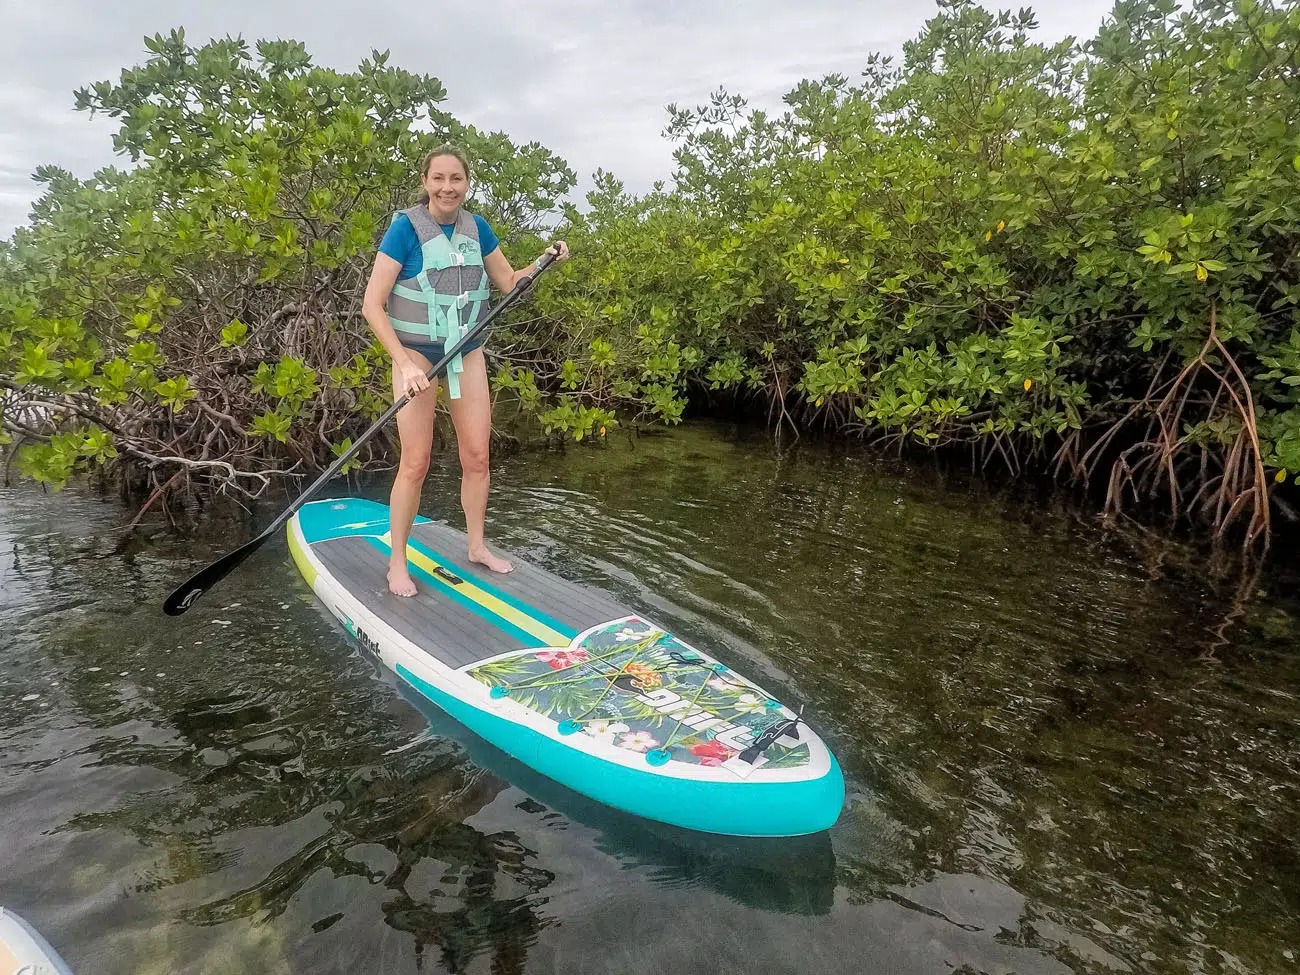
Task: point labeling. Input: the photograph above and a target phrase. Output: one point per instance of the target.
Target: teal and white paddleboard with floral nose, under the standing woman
(571, 683)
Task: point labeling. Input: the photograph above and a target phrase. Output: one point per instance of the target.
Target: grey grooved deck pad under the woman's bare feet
(440, 623)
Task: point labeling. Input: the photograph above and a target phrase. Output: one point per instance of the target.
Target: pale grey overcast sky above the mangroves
(587, 79)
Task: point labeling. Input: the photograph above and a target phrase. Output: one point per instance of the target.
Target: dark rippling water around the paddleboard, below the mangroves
(1055, 762)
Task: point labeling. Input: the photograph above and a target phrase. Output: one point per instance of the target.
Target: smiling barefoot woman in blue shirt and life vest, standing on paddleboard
(430, 285)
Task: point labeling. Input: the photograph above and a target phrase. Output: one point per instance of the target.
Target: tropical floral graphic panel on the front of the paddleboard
(632, 686)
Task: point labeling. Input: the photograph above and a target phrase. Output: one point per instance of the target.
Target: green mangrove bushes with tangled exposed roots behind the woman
(1081, 259)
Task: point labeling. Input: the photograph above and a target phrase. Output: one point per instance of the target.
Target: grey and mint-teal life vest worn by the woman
(448, 297)
